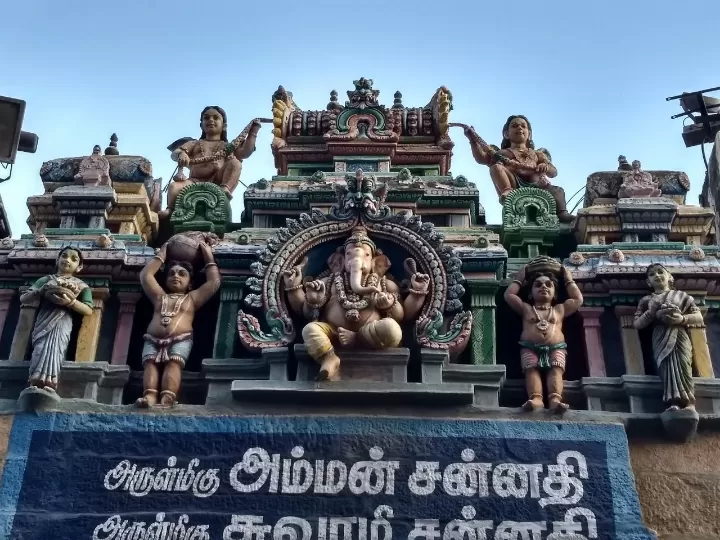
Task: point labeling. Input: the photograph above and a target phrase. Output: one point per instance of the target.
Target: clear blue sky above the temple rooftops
(591, 76)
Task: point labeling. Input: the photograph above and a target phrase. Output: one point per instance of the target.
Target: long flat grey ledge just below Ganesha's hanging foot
(356, 392)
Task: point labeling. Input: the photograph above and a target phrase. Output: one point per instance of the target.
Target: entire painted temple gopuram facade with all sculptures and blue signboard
(359, 354)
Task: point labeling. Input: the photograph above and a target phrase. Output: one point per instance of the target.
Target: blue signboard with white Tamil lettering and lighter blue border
(113, 477)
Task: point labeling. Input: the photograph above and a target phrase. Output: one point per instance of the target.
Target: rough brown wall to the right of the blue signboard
(679, 486)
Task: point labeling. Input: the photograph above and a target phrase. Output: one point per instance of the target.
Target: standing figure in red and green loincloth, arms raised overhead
(542, 342)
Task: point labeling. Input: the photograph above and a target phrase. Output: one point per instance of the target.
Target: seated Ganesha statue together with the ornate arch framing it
(355, 302)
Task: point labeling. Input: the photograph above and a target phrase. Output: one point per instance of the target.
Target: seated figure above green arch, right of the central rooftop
(516, 163)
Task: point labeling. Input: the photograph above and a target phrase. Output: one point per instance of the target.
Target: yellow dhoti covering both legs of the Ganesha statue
(320, 338)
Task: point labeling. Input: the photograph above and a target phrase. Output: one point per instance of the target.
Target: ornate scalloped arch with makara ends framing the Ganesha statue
(308, 242)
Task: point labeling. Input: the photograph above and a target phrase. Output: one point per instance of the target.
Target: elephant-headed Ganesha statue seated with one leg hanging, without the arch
(356, 305)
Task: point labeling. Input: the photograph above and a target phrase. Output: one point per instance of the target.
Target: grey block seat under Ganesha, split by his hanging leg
(389, 365)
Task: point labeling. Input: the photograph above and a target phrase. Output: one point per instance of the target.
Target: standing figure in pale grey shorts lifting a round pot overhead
(169, 336)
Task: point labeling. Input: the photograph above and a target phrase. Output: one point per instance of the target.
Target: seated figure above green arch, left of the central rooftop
(224, 170)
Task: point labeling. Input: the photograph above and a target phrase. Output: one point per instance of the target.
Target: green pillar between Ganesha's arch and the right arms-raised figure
(482, 335)
